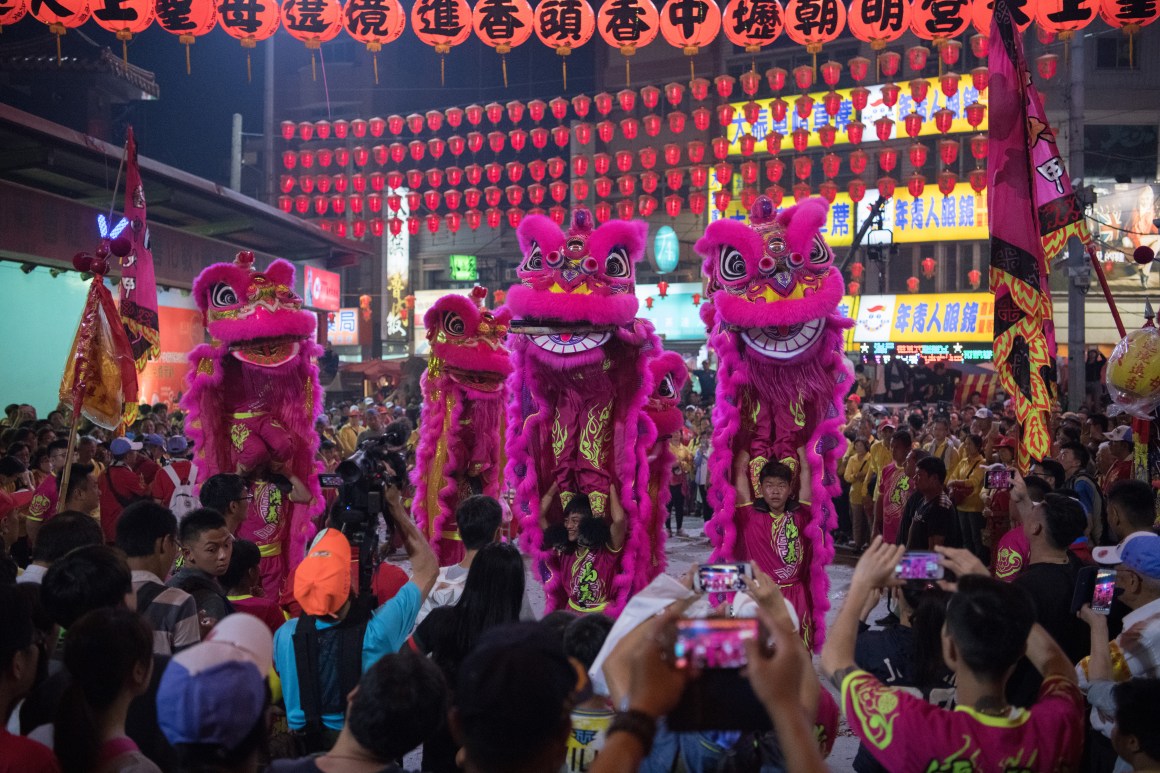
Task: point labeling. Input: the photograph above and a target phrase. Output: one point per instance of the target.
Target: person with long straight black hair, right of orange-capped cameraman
(492, 596)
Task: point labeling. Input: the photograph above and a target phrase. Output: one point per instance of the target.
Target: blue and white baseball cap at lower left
(215, 692)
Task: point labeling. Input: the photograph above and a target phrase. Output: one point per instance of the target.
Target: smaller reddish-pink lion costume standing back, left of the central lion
(461, 450)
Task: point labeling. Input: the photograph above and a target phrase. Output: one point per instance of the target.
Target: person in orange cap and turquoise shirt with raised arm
(315, 655)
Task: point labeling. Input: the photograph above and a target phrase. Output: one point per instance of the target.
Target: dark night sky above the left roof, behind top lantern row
(190, 126)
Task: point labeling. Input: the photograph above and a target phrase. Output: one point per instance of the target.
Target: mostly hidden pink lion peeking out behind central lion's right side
(664, 421)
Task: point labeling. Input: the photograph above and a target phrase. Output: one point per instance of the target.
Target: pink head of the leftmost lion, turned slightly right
(257, 314)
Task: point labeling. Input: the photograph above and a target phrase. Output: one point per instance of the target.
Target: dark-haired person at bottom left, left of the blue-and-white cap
(110, 656)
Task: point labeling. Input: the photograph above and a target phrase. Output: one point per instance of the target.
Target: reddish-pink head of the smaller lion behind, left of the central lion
(469, 339)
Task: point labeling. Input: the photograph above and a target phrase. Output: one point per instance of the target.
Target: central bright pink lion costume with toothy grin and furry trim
(579, 387)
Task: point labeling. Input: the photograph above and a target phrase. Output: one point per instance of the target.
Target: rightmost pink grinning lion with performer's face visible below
(773, 321)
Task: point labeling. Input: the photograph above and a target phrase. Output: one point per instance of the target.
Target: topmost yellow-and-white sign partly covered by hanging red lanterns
(875, 110)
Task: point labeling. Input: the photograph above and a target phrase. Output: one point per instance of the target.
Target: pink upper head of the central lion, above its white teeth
(584, 276)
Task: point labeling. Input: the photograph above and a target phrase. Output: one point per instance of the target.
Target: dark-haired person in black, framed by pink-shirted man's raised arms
(908, 655)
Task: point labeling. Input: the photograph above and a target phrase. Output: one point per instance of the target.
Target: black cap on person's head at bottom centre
(516, 683)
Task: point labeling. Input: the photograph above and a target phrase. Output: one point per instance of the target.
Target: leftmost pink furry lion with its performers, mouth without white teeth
(252, 400)
